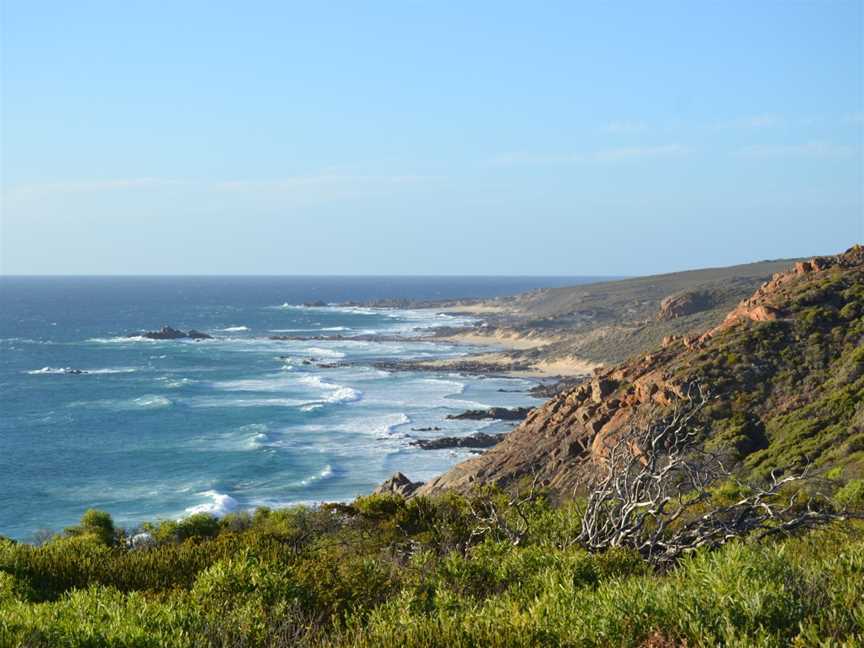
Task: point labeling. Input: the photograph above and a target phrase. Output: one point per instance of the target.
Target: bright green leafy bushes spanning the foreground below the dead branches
(386, 572)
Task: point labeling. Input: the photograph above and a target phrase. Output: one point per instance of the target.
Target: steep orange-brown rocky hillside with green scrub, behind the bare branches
(785, 369)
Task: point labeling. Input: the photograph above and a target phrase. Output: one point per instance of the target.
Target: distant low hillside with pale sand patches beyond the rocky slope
(565, 330)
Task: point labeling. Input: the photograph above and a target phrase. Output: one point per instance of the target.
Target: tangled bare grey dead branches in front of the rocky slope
(653, 493)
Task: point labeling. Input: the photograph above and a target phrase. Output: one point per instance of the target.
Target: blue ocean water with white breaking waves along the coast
(162, 429)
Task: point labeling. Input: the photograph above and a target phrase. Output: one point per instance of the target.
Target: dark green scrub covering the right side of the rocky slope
(791, 391)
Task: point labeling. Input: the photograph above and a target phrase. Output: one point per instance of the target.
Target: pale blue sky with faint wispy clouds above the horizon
(427, 137)
